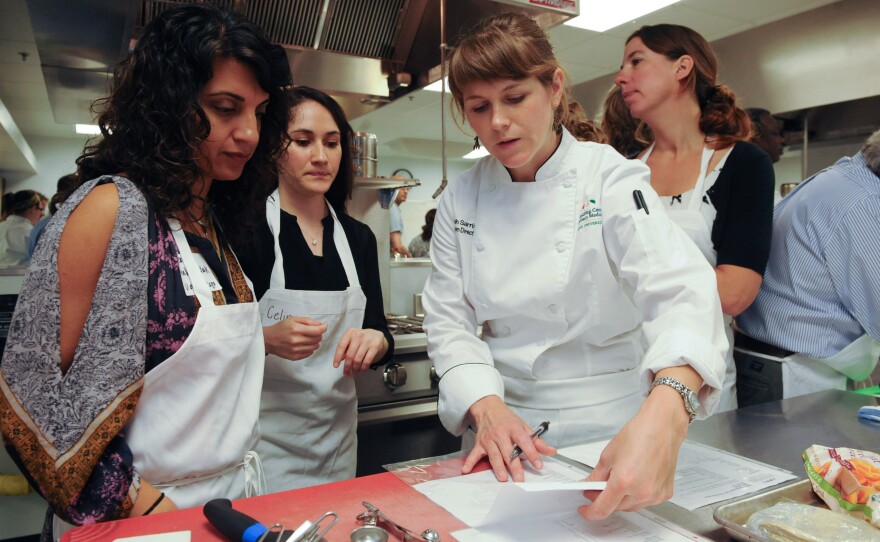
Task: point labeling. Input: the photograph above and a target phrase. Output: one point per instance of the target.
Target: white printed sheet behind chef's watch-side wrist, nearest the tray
(704, 475)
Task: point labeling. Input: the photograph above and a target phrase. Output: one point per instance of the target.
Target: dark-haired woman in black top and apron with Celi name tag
(316, 273)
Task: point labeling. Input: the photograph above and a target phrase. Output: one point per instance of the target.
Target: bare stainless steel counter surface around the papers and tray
(777, 433)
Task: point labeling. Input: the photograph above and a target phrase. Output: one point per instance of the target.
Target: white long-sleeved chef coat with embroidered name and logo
(570, 282)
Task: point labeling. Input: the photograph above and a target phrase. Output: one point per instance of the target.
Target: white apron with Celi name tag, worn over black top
(308, 412)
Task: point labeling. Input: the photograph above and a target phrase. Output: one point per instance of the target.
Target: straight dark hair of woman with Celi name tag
(340, 189)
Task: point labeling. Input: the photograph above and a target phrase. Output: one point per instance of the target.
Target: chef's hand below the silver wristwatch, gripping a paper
(639, 463)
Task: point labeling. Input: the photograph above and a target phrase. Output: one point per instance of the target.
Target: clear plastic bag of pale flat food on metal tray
(796, 522)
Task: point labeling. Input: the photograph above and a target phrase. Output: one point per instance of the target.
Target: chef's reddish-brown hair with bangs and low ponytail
(512, 46)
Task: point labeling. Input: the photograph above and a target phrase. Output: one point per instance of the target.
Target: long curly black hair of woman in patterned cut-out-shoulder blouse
(151, 122)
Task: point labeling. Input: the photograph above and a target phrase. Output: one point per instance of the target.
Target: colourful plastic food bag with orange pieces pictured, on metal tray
(848, 480)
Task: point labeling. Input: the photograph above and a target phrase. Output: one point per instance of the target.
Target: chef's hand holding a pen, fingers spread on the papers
(498, 431)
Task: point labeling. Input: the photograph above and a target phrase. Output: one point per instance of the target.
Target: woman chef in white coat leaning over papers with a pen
(566, 257)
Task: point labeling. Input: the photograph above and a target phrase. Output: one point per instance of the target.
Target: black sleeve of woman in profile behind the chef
(743, 198)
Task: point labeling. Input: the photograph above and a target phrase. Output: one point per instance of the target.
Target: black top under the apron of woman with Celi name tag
(305, 271)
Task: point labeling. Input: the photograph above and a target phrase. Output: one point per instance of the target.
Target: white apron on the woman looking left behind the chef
(698, 227)
